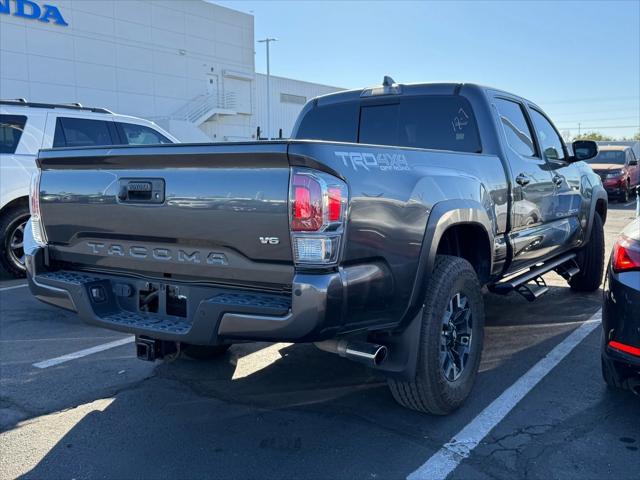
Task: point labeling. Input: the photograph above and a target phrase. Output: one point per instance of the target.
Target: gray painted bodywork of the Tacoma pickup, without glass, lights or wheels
(221, 198)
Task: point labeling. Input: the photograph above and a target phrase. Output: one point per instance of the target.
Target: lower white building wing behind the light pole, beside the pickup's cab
(284, 113)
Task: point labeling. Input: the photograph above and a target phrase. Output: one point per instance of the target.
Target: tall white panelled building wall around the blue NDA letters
(143, 58)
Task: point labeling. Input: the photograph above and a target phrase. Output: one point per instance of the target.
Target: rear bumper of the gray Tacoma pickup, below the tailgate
(311, 312)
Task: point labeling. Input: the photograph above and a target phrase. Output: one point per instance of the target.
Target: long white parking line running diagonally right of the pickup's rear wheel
(445, 460)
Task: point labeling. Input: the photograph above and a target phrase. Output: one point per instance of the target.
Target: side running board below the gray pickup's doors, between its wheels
(530, 283)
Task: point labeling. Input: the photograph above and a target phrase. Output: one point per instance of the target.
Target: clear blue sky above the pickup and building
(580, 60)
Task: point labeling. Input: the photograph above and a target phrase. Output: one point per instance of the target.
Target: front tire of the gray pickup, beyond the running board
(590, 259)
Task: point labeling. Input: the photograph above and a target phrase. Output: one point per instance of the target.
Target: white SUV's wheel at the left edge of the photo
(12, 225)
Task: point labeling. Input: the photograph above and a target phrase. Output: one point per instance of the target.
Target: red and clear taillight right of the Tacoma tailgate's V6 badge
(317, 212)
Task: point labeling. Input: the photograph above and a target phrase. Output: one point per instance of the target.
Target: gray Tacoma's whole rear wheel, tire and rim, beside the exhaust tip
(451, 339)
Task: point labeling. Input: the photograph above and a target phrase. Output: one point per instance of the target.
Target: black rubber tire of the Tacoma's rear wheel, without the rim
(430, 391)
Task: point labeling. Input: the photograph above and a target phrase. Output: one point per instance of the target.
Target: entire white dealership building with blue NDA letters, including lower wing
(189, 65)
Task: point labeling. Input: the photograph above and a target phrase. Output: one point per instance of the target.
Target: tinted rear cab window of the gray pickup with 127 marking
(441, 122)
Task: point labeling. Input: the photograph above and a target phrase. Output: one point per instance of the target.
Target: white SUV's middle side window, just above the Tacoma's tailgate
(81, 132)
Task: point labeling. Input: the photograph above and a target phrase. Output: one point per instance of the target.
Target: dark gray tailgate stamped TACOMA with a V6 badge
(214, 212)
